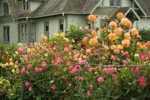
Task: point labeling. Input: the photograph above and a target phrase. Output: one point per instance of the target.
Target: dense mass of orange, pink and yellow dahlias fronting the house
(112, 63)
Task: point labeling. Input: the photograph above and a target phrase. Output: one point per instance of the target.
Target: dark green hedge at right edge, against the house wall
(145, 34)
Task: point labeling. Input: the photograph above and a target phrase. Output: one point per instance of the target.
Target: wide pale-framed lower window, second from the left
(23, 32)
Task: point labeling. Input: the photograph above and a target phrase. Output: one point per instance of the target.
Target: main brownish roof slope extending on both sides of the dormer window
(54, 7)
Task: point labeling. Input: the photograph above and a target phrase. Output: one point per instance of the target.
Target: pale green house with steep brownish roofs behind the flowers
(27, 20)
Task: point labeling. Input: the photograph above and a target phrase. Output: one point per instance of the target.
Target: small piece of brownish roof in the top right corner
(145, 5)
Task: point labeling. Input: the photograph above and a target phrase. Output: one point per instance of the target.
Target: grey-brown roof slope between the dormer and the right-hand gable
(53, 7)
